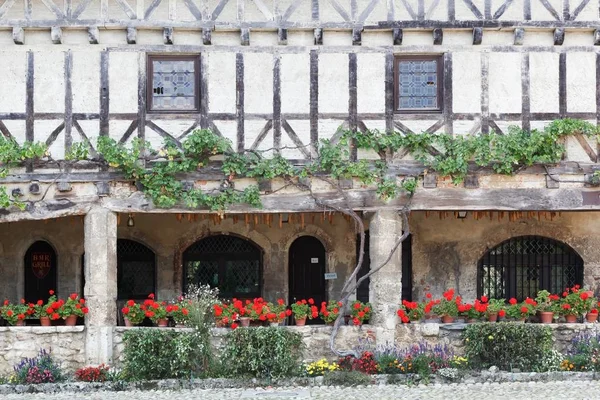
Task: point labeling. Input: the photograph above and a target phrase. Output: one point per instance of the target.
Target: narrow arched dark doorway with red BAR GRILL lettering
(40, 271)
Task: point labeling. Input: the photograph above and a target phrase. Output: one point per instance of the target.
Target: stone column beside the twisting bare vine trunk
(385, 288)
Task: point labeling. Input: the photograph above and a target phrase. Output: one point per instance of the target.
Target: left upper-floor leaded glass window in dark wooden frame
(173, 83)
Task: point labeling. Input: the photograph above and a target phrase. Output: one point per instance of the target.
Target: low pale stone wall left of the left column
(66, 343)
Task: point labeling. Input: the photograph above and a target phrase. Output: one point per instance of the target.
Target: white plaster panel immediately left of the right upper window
(371, 83)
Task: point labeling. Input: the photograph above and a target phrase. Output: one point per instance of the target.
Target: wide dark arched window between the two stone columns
(229, 263)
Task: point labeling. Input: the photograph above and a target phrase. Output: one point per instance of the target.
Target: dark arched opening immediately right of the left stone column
(136, 270)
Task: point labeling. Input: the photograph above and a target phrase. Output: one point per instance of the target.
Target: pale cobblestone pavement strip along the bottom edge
(488, 391)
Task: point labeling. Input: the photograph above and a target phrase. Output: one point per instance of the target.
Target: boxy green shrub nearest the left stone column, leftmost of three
(159, 354)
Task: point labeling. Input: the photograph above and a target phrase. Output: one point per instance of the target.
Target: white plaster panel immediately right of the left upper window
(221, 82)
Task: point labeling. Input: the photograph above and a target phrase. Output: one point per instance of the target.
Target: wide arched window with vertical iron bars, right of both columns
(521, 266)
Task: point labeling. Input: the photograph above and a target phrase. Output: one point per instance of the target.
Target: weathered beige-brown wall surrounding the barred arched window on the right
(446, 251)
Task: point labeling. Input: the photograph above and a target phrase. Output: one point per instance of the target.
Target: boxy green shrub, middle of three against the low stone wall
(262, 352)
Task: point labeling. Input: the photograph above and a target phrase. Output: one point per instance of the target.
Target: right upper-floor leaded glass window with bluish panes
(418, 83)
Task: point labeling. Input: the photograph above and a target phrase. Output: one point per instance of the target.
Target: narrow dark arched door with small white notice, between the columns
(307, 266)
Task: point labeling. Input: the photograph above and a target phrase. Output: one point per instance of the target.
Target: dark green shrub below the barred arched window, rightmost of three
(506, 345)
